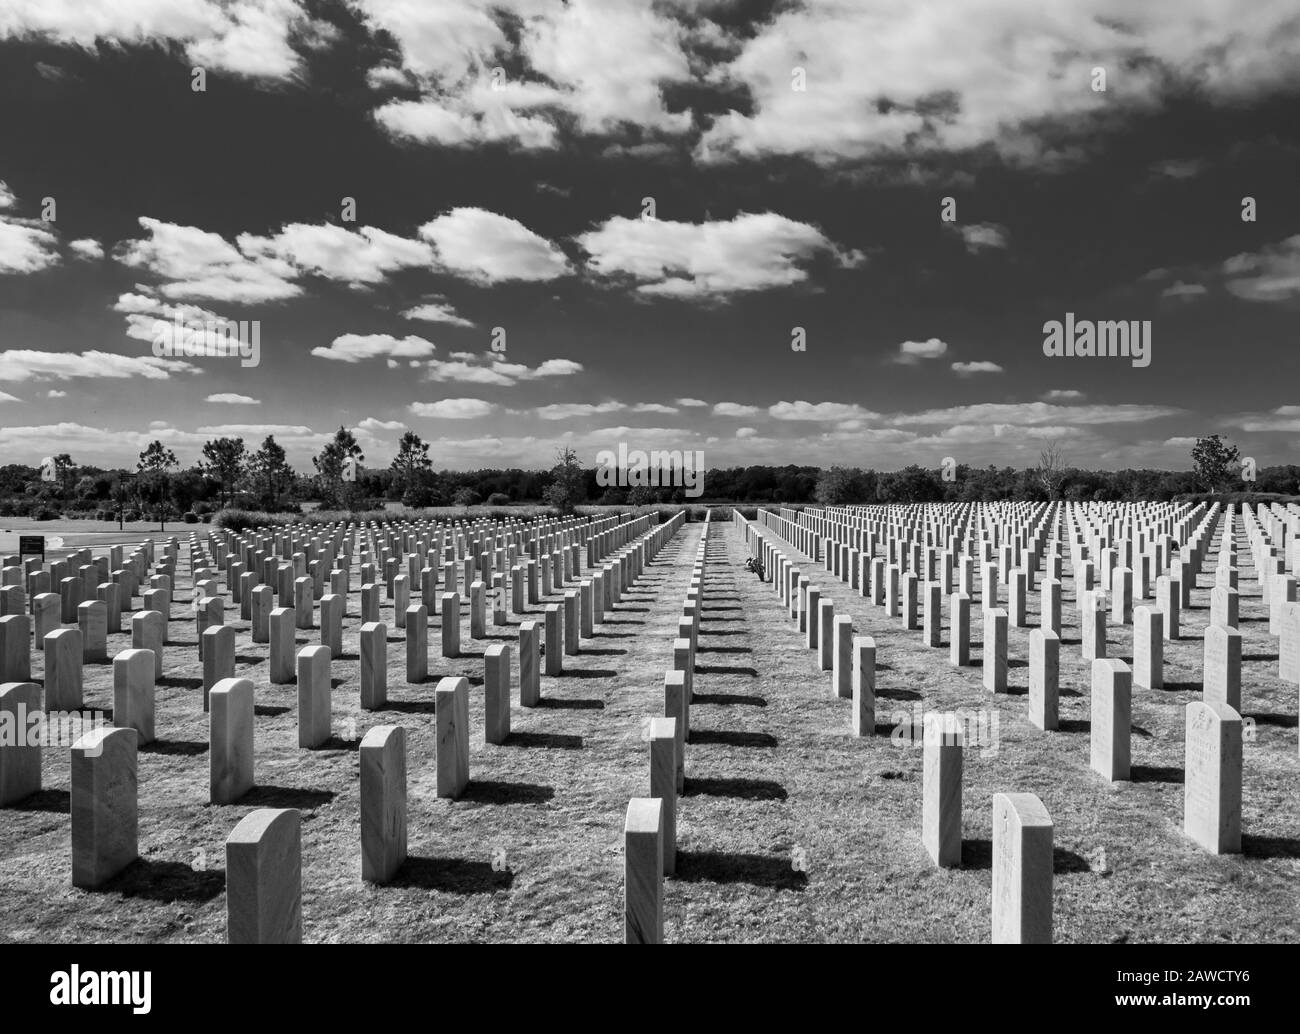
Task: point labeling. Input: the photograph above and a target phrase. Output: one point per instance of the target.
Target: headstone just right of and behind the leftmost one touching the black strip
(384, 817)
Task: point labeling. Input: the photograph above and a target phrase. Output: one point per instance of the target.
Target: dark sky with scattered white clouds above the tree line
(820, 233)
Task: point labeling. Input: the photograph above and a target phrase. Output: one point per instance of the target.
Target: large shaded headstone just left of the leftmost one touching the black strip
(105, 806)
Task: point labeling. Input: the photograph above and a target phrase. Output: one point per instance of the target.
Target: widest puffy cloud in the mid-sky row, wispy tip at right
(753, 252)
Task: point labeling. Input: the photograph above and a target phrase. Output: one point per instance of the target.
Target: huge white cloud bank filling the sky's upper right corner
(1008, 76)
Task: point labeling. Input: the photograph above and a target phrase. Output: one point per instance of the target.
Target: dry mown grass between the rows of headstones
(773, 772)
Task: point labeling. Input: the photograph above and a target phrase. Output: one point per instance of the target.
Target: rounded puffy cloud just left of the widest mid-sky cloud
(487, 248)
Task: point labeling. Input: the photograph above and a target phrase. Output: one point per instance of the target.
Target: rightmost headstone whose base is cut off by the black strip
(1022, 871)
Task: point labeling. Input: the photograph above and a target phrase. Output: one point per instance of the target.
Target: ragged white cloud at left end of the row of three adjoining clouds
(200, 265)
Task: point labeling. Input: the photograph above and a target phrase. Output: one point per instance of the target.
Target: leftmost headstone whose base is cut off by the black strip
(265, 879)
